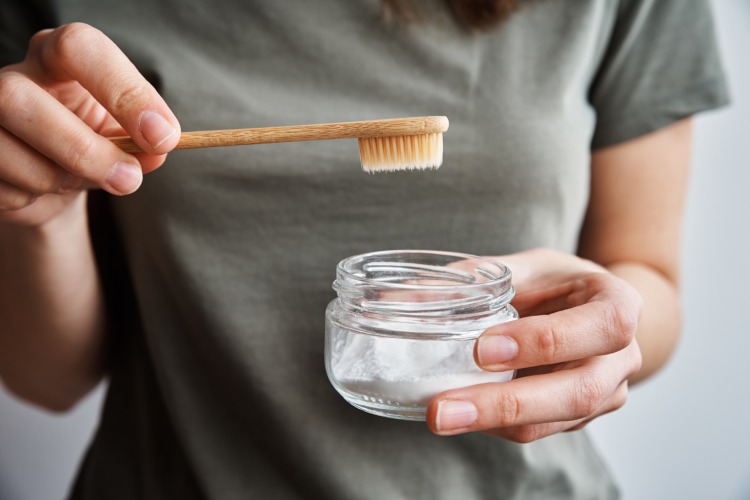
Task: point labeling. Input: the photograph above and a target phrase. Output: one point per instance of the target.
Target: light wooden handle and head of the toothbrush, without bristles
(294, 133)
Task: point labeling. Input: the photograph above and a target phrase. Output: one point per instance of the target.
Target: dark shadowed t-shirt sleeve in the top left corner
(19, 20)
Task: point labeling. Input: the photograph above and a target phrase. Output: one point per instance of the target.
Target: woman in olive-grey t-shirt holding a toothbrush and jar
(202, 293)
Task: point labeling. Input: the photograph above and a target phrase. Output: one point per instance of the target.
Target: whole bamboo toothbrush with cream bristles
(384, 145)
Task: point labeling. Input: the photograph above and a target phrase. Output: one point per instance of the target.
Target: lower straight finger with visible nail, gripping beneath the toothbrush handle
(42, 122)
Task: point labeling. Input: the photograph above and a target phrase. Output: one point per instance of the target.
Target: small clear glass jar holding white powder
(404, 324)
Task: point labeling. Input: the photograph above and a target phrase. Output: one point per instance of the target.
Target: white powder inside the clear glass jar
(402, 371)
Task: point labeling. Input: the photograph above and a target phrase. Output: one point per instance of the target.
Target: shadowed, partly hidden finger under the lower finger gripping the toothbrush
(30, 171)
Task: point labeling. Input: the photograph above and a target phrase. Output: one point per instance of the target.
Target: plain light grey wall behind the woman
(682, 434)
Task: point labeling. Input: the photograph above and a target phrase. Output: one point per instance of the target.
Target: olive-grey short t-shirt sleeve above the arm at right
(661, 65)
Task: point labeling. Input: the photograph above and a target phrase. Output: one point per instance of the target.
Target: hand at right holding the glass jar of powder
(574, 348)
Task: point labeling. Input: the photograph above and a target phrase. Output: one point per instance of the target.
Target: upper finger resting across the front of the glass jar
(601, 319)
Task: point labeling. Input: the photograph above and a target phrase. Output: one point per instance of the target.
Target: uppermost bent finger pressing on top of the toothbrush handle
(82, 53)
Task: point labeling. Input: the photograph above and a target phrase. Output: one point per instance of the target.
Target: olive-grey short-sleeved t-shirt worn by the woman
(218, 387)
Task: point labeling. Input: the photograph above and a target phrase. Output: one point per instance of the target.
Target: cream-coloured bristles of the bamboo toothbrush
(404, 152)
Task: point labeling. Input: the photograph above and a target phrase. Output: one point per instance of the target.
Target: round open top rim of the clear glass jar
(350, 269)
